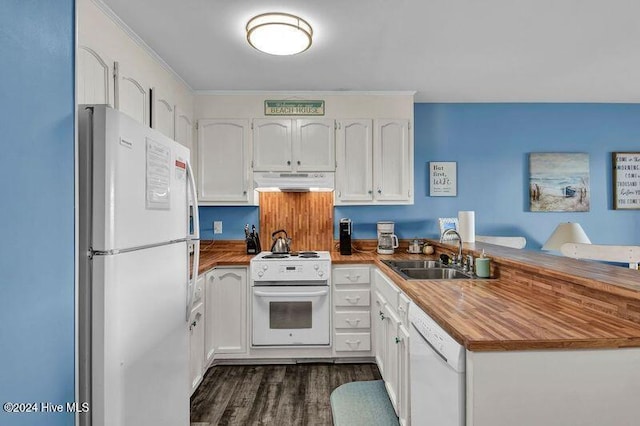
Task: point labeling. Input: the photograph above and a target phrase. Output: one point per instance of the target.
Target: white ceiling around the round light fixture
(446, 50)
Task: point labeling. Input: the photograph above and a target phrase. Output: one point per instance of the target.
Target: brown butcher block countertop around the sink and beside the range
(536, 301)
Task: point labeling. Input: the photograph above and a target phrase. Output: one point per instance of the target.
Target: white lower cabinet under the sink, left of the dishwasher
(391, 342)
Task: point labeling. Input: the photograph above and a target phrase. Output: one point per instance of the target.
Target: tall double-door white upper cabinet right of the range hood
(374, 166)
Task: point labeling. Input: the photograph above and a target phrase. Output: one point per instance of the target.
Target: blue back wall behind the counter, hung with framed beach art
(491, 143)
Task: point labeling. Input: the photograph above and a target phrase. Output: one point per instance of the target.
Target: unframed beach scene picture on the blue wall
(559, 182)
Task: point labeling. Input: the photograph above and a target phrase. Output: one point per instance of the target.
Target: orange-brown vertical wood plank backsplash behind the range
(306, 216)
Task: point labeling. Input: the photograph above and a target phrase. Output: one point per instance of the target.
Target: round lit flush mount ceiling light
(279, 33)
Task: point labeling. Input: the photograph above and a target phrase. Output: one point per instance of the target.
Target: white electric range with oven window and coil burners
(291, 299)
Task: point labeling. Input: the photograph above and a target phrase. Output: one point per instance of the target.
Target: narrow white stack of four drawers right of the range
(351, 311)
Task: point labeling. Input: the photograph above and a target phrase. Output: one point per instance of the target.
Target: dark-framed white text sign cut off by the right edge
(626, 180)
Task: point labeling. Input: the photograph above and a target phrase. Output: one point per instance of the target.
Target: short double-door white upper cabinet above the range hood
(293, 145)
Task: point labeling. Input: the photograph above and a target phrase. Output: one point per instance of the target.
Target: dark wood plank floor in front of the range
(272, 394)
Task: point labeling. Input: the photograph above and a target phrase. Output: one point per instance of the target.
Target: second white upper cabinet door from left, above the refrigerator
(132, 94)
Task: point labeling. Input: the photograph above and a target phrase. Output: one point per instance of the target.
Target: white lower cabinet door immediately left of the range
(226, 303)
